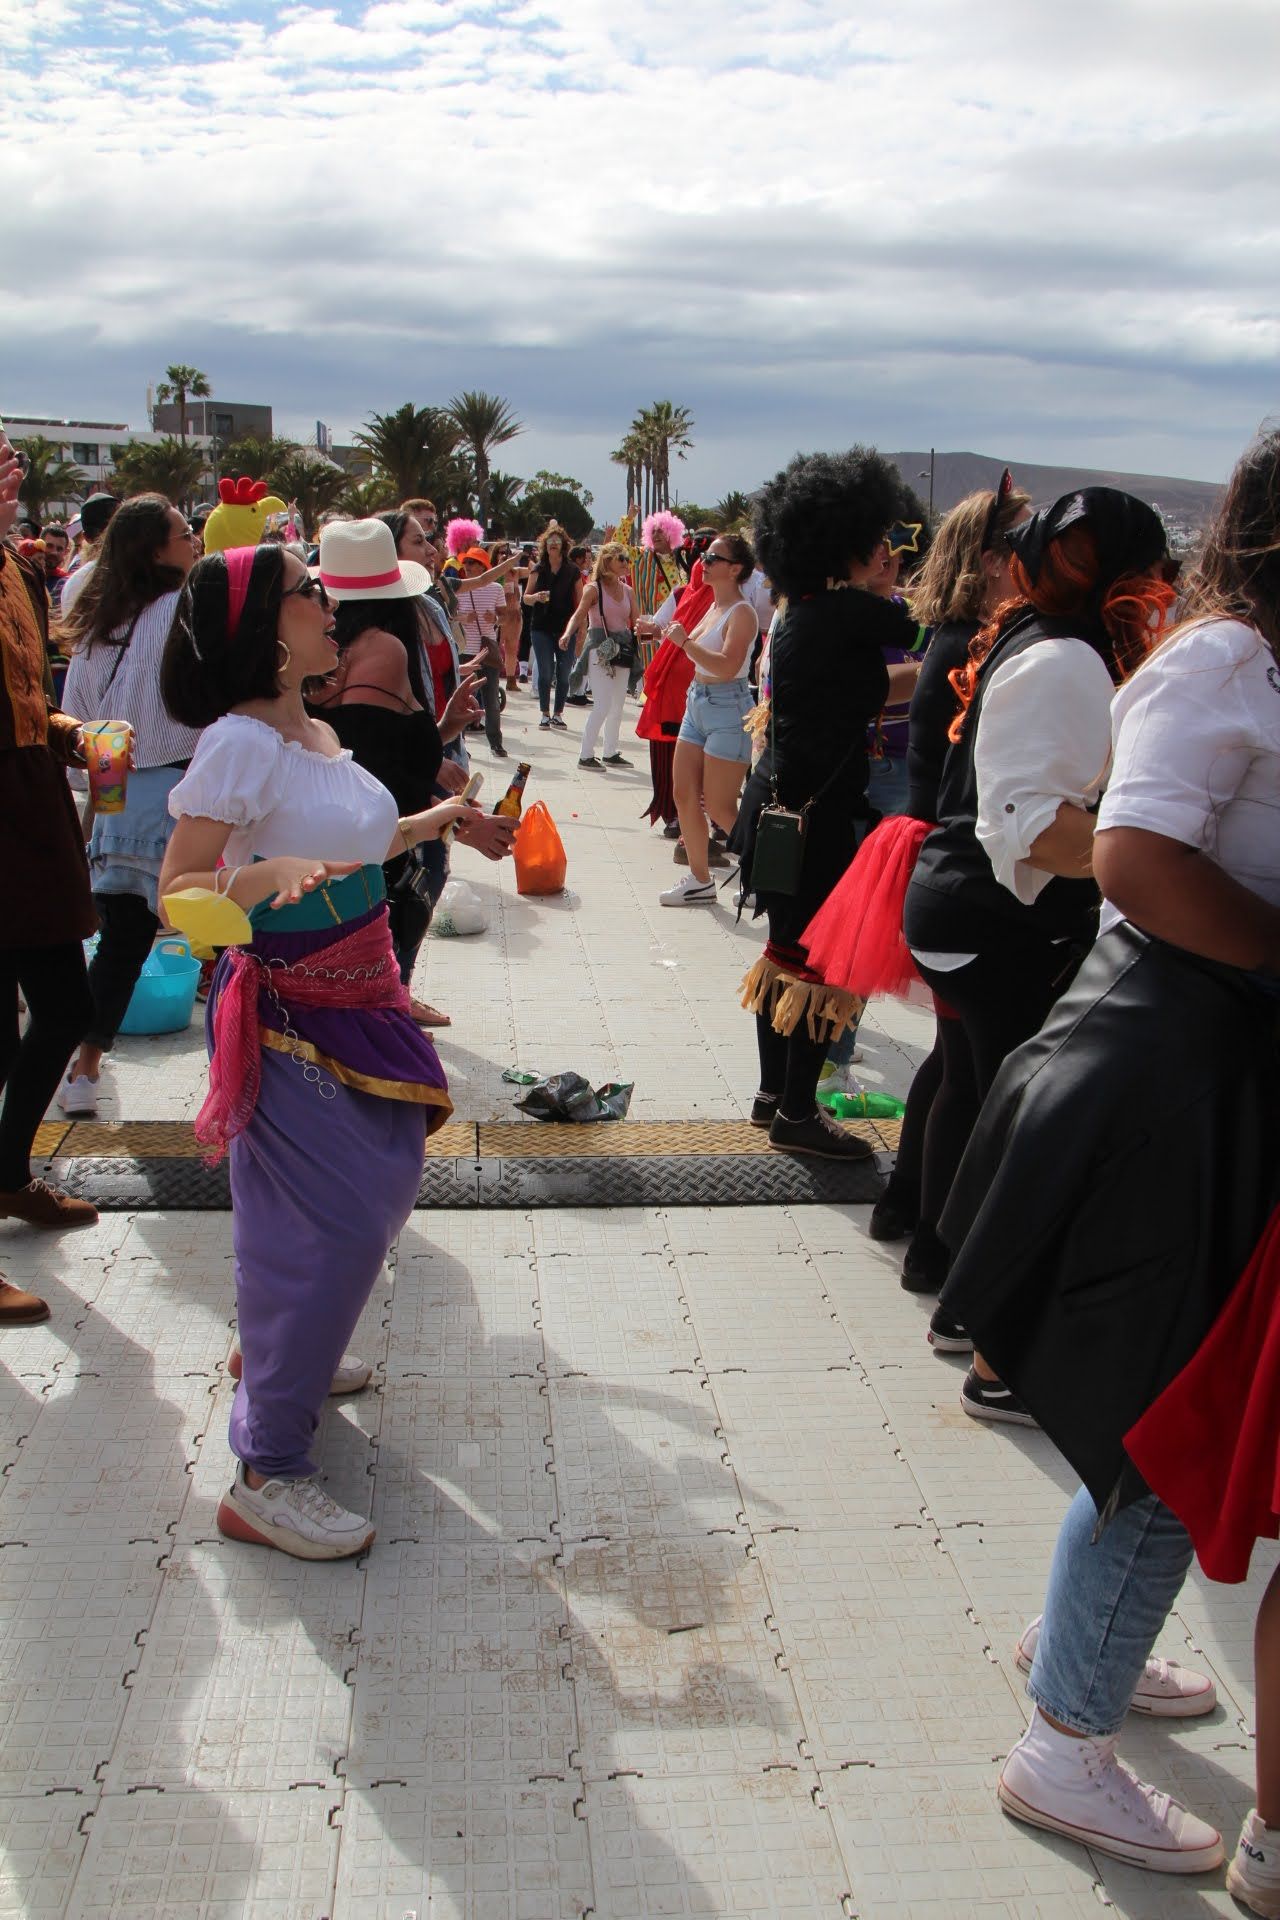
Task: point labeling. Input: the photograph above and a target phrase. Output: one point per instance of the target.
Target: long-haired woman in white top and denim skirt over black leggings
(118, 635)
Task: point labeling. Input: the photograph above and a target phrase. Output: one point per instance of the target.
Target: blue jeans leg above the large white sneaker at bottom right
(1106, 1606)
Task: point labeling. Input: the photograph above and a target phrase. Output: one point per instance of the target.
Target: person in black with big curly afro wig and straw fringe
(820, 531)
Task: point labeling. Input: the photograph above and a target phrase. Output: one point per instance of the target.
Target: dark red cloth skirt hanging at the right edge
(1210, 1447)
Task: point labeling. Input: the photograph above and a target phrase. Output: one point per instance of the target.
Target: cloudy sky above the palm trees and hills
(1022, 229)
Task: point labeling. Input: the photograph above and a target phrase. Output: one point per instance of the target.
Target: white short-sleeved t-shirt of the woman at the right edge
(1198, 754)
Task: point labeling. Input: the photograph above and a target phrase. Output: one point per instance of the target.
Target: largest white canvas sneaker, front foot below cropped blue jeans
(1081, 1790)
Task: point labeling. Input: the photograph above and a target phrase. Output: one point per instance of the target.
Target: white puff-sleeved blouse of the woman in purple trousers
(283, 798)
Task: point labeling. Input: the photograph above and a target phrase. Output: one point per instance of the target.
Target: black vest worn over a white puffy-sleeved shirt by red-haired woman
(955, 901)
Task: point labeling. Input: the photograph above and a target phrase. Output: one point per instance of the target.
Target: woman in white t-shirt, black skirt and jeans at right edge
(1114, 1189)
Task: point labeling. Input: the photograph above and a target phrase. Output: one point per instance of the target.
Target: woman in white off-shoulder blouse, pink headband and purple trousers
(321, 1086)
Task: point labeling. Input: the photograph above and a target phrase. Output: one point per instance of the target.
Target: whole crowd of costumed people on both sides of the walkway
(1012, 769)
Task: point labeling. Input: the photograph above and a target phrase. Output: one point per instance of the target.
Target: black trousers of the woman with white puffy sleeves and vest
(1001, 999)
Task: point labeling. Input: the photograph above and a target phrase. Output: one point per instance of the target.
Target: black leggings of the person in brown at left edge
(57, 992)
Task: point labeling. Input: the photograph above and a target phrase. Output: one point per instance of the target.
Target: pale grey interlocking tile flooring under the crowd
(694, 1589)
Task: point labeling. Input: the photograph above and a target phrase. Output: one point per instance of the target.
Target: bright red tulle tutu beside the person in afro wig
(855, 940)
